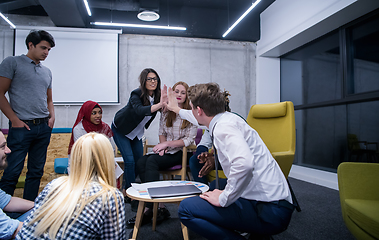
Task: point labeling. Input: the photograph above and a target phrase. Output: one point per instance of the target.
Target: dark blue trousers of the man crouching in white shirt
(257, 218)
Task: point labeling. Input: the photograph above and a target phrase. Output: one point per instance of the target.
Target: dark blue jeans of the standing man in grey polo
(33, 142)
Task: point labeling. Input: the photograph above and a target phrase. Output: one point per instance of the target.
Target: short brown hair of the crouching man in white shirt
(208, 97)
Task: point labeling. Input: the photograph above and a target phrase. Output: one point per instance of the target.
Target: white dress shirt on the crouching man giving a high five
(251, 170)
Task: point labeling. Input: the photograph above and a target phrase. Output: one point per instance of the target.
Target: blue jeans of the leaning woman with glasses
(131, 151)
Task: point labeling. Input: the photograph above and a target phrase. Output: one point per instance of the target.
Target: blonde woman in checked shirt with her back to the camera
(84, 205)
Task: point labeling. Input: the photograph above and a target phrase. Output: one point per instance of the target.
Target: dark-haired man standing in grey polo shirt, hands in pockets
(30, 111)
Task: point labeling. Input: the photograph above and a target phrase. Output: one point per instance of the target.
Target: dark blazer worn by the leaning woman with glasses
(128, 117)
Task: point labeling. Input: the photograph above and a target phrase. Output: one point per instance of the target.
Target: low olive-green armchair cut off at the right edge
(359, 195)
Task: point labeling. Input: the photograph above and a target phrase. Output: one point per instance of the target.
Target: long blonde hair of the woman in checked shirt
(91, 161)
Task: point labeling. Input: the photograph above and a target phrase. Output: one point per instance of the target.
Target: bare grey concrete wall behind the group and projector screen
(231, 64)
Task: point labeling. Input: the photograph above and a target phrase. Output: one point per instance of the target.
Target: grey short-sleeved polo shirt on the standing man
(28, 89)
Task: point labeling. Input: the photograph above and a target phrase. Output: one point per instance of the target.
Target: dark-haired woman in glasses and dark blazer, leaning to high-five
(130, 121)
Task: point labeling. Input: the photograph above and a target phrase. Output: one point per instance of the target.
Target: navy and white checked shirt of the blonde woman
(95, 221)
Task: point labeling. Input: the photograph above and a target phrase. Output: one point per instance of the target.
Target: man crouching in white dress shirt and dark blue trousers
(256, 198)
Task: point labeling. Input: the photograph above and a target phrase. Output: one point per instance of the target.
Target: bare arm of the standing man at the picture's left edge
(5, 107)
